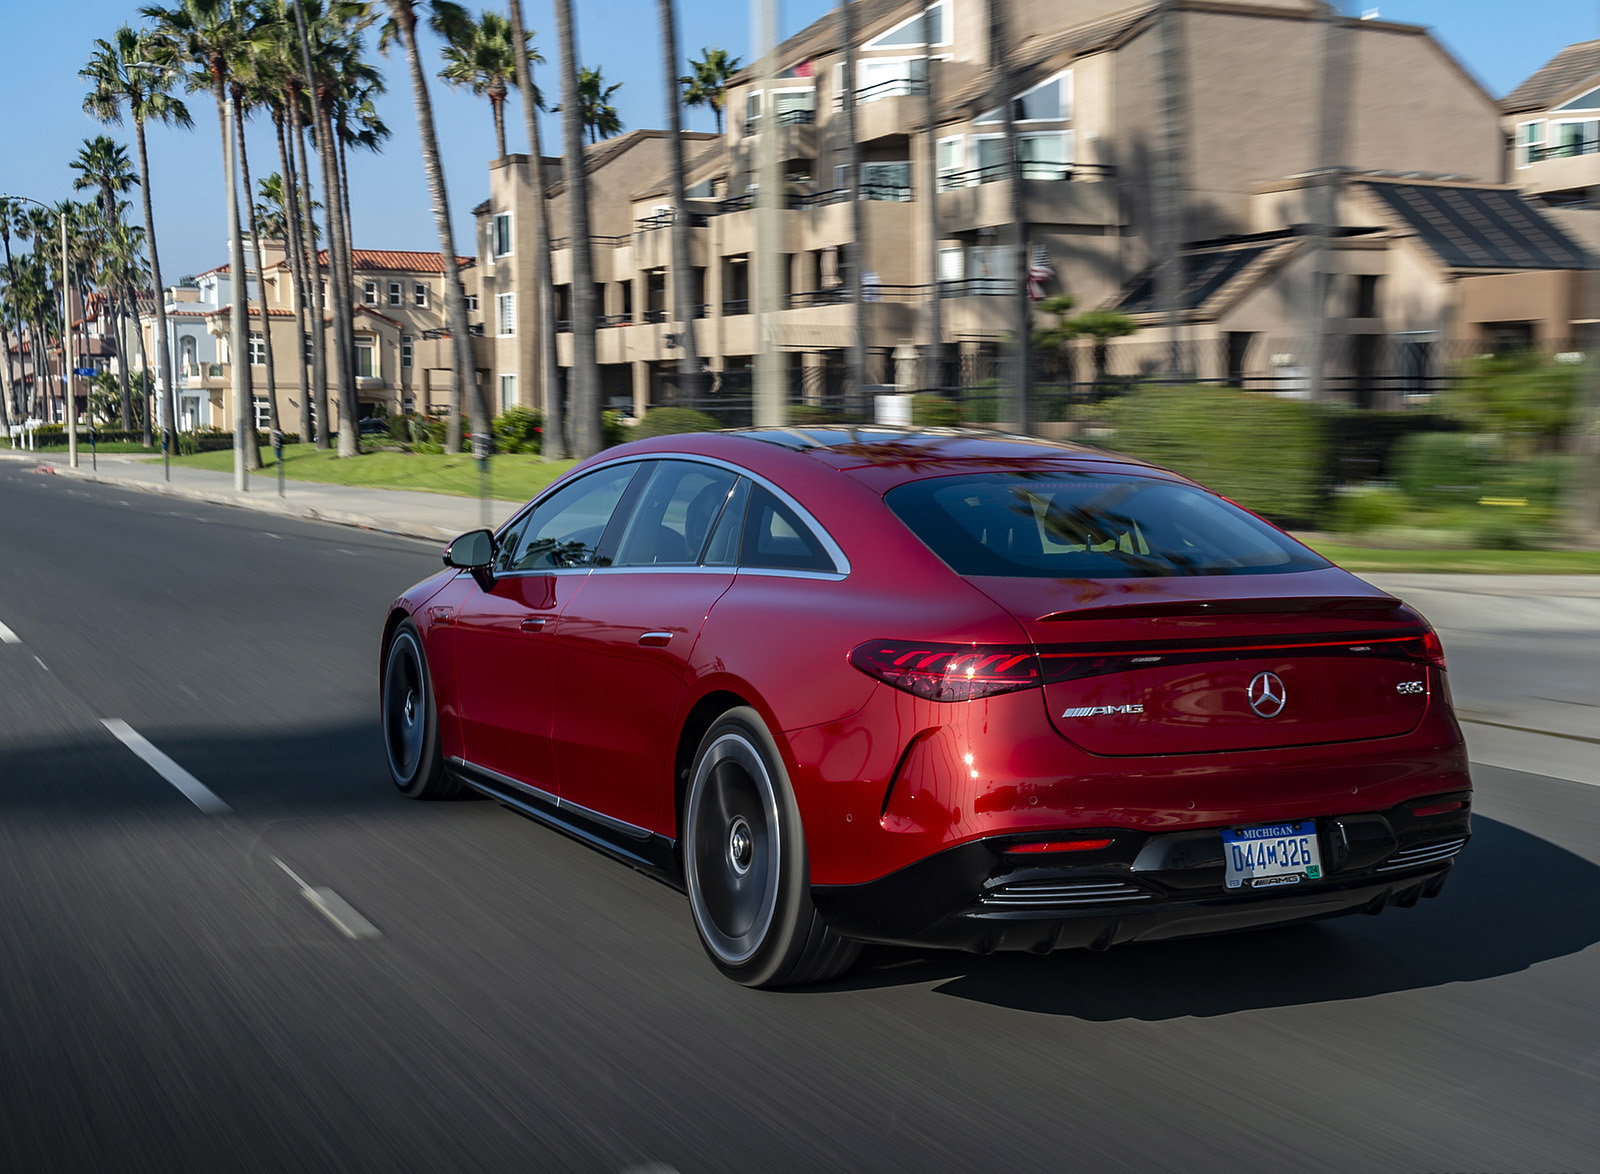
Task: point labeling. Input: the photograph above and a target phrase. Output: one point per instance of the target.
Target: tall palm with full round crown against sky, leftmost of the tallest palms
(126, 76)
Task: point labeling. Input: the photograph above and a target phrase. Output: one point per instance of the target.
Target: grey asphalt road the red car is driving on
(172, 1000)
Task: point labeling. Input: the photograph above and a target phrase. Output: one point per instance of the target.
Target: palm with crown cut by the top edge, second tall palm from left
(210, 36)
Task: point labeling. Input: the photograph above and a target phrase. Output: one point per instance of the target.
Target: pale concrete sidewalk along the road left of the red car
(428, 516)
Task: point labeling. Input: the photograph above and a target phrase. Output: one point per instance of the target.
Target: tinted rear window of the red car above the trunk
(1066, 525)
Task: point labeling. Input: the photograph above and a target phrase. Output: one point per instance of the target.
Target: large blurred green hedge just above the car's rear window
(1260, 450)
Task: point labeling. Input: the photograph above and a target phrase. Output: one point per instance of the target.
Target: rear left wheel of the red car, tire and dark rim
(745, 860)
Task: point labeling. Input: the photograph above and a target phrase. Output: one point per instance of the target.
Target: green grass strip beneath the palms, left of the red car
(513, 477)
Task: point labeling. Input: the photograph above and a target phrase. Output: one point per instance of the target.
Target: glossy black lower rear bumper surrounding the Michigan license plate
(1142, 888)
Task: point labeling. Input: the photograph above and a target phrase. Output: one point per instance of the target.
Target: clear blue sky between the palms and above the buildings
(42, 122)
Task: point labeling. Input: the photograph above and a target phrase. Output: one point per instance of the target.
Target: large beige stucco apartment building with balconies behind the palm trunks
(1418, 138)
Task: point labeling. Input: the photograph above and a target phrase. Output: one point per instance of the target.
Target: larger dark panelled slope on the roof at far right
(1479, 228)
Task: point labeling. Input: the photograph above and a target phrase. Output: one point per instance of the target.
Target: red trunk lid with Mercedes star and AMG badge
(1231, 663)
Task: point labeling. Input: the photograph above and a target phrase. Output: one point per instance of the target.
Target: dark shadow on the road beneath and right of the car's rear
(1513, 901)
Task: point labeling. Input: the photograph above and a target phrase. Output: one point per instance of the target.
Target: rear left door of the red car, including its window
(625, 641)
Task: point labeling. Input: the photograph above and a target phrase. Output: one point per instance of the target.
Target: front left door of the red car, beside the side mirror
(506, 666)
